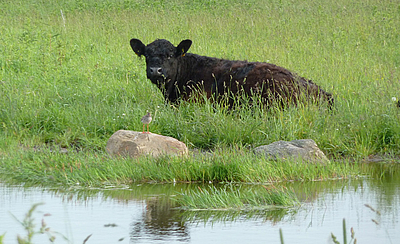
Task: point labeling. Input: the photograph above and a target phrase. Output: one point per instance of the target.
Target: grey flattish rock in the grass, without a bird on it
(305, 149)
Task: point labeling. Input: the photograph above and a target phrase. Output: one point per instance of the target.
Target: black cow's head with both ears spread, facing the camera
(162, 59)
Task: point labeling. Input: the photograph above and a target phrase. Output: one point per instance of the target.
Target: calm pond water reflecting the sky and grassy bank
(143, 214)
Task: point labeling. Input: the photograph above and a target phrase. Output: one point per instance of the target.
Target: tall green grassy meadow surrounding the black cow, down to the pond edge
(68, 78)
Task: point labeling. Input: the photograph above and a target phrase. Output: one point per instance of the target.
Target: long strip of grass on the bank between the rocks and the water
(99, 169)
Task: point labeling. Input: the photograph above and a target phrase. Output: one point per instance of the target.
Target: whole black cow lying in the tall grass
(179, 75)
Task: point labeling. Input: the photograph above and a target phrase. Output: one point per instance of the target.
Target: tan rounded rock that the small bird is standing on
(135, 144)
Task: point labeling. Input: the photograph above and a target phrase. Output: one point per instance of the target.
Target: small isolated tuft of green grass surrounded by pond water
(225, 198)
